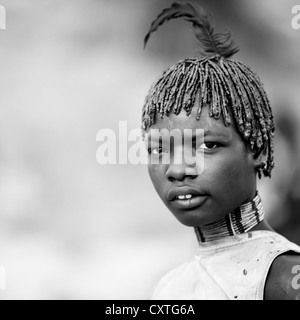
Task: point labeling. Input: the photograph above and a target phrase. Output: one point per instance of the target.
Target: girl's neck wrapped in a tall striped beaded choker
(248, 216)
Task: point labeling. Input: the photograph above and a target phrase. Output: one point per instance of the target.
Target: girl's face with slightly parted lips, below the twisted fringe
(228, 179)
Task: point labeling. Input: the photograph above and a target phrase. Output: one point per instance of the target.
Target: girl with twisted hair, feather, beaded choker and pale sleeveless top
(239, 256)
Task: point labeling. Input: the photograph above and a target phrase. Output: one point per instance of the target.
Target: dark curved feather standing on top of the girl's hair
(212, 43)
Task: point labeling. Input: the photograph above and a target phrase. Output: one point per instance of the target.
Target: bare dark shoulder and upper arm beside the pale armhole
(283, 281)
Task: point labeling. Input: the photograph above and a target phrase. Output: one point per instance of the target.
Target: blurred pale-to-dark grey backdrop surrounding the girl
(71, 228)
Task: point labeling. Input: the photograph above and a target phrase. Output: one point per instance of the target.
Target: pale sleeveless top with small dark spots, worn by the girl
(232, 268)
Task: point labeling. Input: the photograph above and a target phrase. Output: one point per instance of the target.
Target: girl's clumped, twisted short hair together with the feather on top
(229, 88)
